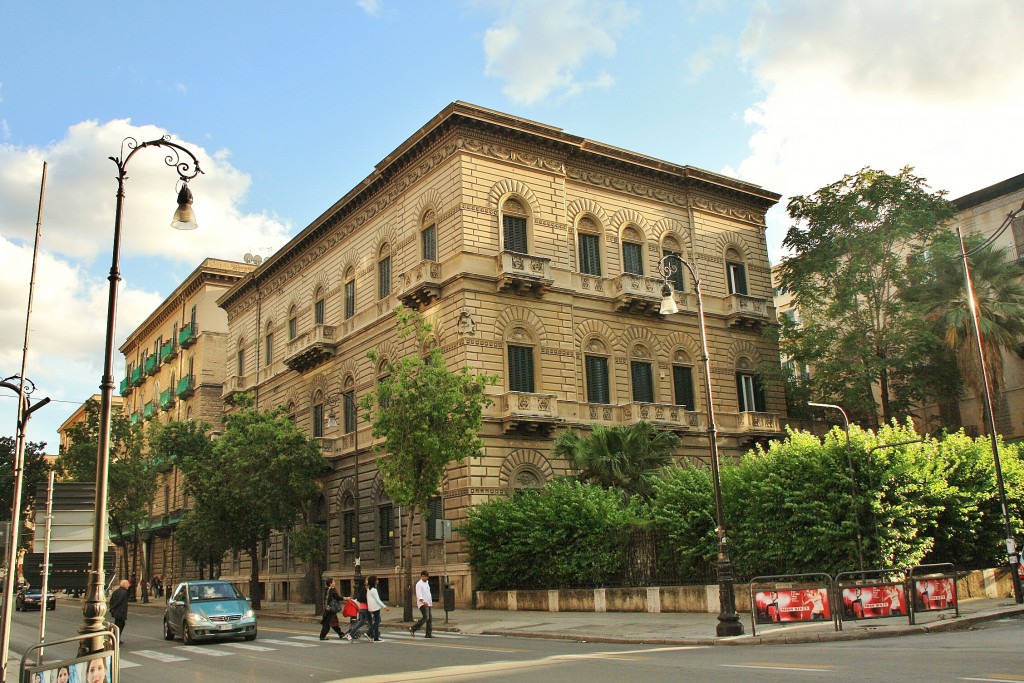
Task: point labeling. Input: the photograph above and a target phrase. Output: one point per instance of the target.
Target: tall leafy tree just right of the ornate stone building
(852, 243)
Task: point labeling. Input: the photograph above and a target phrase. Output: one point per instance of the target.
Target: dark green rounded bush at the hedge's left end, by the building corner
(565, 535)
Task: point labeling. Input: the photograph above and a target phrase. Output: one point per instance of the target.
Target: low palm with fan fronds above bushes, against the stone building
(625, 457)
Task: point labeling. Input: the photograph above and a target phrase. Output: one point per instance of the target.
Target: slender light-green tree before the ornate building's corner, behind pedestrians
(428, 417)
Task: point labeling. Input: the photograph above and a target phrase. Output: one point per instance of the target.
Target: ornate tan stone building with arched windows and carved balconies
(534, 253)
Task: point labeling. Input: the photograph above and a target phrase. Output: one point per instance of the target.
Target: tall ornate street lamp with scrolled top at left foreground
(95, 608)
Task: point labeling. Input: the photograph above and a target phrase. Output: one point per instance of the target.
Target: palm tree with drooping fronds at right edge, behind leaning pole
(1000, 293)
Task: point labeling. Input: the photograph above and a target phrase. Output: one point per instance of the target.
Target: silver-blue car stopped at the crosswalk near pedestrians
(208, 611)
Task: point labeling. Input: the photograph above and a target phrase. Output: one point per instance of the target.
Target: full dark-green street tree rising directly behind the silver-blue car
(254, 481)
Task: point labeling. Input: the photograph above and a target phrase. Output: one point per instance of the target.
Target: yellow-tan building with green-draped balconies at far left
(175, 371)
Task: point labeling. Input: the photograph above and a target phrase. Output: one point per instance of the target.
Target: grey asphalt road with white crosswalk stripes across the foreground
(291, 652)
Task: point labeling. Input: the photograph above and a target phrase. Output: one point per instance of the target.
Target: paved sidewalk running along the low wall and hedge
(665, 628)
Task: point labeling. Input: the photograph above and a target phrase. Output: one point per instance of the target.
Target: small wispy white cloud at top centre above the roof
(539, 48)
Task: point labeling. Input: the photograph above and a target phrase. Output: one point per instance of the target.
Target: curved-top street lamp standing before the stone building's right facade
(729, 620)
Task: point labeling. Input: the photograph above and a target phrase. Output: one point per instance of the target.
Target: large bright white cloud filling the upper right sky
(933, 84)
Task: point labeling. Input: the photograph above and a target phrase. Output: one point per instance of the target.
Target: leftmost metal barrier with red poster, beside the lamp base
(792, 599)
